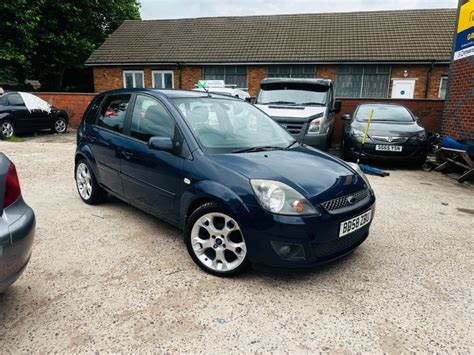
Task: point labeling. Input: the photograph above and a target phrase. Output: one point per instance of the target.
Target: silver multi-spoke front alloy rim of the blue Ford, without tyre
(218, 243)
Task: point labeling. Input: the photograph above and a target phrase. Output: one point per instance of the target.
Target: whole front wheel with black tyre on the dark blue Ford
(215, 241)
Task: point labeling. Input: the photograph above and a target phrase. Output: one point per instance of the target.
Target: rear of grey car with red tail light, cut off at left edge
(17, 225)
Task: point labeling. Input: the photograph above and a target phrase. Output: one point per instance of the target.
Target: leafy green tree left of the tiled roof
(44, 38)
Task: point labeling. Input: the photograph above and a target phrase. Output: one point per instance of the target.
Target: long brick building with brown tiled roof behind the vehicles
(389, 54)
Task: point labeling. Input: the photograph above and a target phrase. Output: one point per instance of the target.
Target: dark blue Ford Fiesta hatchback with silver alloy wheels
(242, 189)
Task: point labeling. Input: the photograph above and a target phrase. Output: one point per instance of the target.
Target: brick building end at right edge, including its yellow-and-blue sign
(458, 115)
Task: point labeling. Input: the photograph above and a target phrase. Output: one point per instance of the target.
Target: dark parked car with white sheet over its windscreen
(23, 112)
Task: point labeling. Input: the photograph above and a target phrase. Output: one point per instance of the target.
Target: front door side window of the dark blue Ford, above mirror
(150, 118)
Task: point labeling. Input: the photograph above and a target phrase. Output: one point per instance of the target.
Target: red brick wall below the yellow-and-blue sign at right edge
(458, 115)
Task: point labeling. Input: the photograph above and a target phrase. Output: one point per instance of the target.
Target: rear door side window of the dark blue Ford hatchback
(113, 112)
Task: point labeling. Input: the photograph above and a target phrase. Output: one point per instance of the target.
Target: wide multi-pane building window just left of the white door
(362, 81)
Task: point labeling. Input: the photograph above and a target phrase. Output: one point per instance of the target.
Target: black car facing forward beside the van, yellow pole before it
(394, 134)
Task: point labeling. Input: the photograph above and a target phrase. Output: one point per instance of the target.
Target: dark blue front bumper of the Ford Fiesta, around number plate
(318, 236)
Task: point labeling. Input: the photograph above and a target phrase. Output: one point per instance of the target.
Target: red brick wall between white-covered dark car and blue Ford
(74, 104)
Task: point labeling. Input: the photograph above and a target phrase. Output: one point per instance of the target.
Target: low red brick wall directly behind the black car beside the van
(428, 111)
